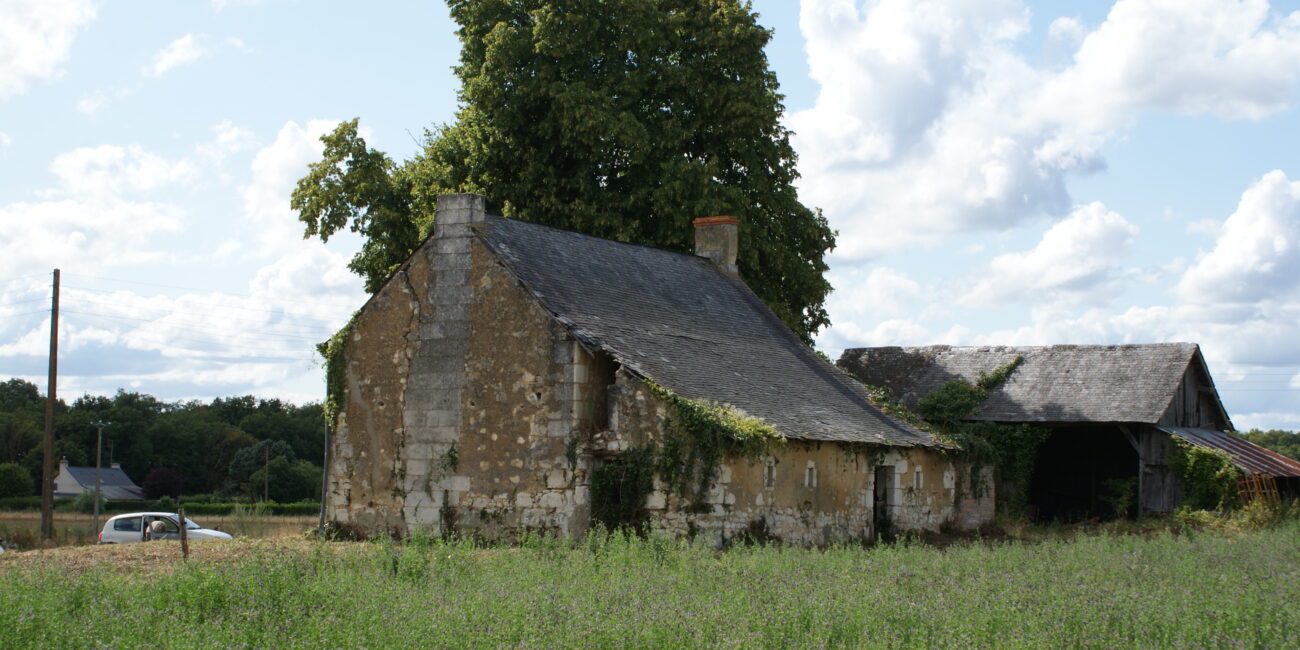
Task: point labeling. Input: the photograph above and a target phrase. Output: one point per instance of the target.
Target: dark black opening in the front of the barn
(1085, 473)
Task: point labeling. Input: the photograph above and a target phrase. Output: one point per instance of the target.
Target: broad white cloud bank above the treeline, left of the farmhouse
(257, 333)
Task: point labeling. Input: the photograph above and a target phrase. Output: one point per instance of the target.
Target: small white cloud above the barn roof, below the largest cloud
(1078, 261)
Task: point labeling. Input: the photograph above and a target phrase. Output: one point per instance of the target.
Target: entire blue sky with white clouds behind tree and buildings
(999, 172)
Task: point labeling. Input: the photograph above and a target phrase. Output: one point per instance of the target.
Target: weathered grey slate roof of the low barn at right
(1055, 384)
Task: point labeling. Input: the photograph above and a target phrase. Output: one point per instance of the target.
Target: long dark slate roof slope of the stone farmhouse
(675, 319)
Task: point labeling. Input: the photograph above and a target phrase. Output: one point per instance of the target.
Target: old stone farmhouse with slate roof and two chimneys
(509, 378)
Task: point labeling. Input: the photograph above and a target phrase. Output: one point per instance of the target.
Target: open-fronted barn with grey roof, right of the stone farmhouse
(1113, 414)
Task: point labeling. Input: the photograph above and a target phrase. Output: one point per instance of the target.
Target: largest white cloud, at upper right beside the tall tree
(931, 124)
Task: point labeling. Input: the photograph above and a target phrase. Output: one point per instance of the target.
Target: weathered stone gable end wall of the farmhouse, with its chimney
(463, 402)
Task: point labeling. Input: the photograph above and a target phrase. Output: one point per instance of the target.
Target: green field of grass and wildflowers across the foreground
(1195, 590)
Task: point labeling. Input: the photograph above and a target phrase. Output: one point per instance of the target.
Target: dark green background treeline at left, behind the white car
(224, 448)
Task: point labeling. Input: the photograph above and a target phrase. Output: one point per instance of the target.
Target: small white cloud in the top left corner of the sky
(36, 37)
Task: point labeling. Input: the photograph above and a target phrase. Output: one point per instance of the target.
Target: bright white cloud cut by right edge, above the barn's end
(1258, 253)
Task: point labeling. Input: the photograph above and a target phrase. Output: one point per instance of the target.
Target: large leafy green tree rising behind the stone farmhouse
(619, 119)
